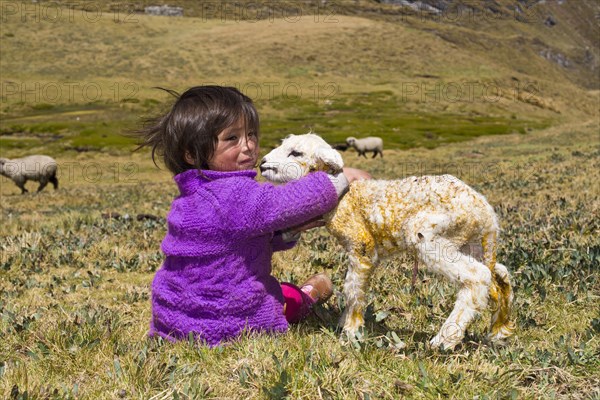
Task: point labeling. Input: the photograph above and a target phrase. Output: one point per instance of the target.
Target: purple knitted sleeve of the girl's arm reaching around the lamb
(269, 208)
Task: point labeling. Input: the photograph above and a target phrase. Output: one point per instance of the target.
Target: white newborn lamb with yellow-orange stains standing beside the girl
(440, 220)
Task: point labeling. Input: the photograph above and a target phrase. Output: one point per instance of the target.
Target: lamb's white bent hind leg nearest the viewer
(474, 280)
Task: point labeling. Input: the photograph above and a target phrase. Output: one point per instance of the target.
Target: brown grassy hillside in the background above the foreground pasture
(478, 60)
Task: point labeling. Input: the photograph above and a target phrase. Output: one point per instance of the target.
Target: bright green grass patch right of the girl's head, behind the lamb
(382, 114)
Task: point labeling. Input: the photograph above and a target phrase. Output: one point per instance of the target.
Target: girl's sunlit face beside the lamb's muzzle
(236, 149)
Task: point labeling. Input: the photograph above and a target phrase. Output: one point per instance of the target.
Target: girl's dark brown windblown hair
(194, 123)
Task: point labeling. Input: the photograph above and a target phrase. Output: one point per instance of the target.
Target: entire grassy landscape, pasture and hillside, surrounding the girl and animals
(76, 263)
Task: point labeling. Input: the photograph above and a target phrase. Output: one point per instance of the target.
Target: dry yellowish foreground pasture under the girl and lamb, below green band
(75, 306)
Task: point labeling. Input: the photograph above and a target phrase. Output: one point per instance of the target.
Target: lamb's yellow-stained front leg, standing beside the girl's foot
(355, 291)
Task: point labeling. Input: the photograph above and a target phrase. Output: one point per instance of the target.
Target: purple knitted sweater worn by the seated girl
(216, 278)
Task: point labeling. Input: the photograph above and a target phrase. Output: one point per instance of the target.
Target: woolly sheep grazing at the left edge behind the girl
(35, 168)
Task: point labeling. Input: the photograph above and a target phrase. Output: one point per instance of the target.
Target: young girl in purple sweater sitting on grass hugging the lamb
(224, 226)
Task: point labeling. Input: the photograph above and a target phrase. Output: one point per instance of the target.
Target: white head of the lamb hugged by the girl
(297, 156)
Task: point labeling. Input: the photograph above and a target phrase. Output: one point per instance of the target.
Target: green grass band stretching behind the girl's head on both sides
(98, 126)
